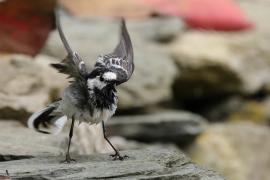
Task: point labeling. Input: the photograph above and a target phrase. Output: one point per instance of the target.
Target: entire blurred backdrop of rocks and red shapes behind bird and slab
(201, 83)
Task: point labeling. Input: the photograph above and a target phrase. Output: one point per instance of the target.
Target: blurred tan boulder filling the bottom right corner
(235, 150)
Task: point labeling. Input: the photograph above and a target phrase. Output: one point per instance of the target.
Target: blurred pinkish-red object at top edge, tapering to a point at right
(204, 14)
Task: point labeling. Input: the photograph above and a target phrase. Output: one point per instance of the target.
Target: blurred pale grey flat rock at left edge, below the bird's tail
(19, 142)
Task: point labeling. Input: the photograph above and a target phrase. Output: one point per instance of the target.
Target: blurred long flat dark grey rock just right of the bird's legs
(175, 127)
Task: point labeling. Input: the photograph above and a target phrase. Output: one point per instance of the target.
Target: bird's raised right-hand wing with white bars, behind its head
(121, 60)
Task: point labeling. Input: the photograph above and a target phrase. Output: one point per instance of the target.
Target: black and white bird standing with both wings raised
(91, 96)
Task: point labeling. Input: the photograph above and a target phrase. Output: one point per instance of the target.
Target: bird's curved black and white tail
(47, 121)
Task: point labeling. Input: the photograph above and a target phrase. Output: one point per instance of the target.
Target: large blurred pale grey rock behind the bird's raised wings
(91, 37)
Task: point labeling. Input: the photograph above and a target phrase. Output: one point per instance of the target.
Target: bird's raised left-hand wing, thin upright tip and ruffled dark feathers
(72, 65)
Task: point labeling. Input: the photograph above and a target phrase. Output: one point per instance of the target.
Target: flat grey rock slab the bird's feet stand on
(150, 163)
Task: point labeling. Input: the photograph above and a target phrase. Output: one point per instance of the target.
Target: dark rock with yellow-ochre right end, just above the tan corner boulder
(236, 108)
